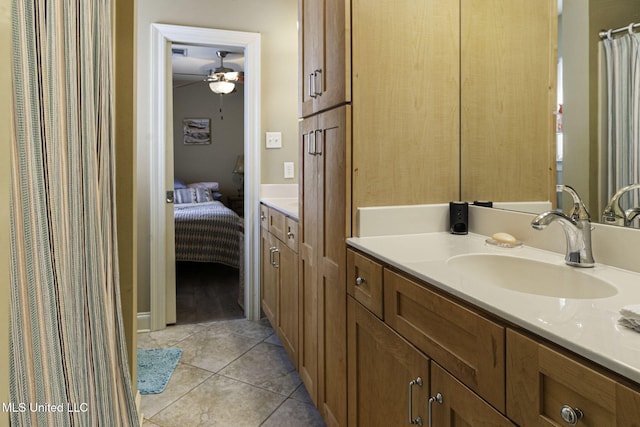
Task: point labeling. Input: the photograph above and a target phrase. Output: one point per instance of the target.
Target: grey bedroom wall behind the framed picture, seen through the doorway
(215, 161)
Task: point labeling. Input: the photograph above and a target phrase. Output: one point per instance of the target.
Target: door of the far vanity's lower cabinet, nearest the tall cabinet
(287, 326)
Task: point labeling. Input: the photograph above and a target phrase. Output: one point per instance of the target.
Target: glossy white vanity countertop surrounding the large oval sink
(588, 327)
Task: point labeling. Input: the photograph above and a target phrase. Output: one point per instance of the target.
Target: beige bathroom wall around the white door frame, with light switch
(276, 21)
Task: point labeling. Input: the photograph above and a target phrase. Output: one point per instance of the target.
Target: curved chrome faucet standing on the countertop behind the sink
(576, 226)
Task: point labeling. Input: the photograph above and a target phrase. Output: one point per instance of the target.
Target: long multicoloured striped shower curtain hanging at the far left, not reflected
(68, 353)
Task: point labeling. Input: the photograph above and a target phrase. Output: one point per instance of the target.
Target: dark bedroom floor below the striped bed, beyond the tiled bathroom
(205, 292)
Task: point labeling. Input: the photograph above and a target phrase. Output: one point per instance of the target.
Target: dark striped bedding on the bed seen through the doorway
(207, 232)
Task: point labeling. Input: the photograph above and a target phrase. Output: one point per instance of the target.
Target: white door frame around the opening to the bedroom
(162, 36)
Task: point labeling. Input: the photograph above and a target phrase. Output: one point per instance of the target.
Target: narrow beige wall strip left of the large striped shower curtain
(5, 188)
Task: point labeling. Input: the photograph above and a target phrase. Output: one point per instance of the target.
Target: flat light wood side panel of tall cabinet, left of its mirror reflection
(406, 121)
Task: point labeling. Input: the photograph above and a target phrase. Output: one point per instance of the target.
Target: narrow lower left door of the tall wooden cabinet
(308, 246)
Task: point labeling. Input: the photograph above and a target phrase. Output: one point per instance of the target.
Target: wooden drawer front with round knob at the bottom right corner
(541, 381)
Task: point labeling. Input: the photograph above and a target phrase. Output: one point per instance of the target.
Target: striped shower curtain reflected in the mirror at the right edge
(622, 62)
